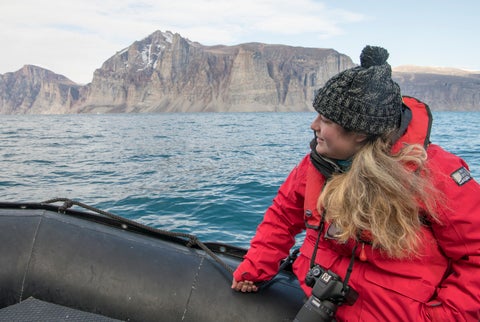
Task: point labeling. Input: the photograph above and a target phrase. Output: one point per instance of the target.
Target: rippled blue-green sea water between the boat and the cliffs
(208, 174)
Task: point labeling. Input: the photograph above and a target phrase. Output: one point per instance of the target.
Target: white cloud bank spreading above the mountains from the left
(74, 38)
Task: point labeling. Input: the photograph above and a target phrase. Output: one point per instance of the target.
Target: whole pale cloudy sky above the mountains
(75, 37)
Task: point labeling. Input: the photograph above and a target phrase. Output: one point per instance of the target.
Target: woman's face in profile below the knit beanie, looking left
(333, 141)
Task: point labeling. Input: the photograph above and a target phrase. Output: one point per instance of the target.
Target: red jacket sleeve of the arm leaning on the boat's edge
(275, 235)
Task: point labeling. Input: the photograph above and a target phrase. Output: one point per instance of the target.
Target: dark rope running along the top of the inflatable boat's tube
(192, 239)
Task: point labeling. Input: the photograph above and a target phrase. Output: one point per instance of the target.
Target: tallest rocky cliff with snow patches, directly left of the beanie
(165, 72)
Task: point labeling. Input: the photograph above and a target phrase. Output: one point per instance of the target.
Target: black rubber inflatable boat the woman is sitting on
(59, 263)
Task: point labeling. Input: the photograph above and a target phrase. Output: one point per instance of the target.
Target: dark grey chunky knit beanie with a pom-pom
(364, 98)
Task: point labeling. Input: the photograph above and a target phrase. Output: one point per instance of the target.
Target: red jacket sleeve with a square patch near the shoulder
(458, 235)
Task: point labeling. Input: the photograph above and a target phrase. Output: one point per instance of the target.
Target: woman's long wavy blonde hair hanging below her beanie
(384, 194)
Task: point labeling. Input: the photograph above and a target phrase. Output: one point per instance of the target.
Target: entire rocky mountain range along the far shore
(167, 73)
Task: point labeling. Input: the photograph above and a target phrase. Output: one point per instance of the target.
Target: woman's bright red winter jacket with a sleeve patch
(442, 285)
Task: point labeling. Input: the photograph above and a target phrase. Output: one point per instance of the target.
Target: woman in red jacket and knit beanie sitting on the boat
(396, 217)
